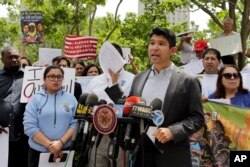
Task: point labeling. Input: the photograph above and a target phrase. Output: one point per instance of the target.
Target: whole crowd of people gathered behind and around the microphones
(46, 123)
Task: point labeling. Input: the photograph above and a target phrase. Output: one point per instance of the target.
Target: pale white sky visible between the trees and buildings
(199, 17)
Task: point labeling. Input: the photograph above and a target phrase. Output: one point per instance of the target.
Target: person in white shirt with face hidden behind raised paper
(121, 81)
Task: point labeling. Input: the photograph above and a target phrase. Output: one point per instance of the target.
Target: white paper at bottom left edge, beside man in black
(4, 145)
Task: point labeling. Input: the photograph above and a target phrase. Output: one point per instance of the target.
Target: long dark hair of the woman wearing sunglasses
(220, 89)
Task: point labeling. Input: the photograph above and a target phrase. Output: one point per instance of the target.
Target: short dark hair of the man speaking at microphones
(168, 34)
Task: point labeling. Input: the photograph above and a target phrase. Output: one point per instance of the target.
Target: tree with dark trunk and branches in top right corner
(238, 10)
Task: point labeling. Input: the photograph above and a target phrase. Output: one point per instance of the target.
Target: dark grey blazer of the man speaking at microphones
(182, 108)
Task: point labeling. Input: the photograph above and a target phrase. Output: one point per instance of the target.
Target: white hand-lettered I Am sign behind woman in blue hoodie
(33, 81)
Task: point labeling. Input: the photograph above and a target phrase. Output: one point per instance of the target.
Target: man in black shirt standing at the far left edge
(11, 113)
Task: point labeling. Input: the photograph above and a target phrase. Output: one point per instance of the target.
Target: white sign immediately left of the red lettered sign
(46, 55)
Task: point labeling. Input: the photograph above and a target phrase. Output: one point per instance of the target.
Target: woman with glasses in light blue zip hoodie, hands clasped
(48, 118)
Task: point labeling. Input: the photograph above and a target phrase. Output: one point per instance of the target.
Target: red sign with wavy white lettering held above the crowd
(80, 47)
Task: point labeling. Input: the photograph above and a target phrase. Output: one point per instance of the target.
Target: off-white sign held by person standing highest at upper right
(227, 45)
